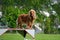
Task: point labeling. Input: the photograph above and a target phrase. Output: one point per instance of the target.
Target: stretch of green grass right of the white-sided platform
(48, 37)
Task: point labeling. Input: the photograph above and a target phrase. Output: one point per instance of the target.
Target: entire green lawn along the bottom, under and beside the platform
(16, 36)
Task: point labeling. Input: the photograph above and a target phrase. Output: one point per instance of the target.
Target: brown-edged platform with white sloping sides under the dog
(29, 31)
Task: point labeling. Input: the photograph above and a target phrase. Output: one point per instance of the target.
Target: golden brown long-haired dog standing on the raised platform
(27, 19)
